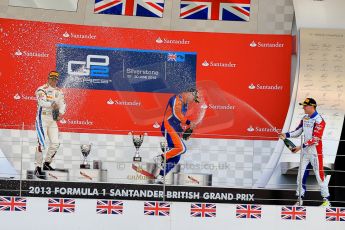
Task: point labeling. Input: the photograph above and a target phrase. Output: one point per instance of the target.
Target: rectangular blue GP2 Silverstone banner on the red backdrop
(131, 70)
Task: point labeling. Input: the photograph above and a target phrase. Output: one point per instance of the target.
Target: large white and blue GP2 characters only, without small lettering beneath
(95, 66)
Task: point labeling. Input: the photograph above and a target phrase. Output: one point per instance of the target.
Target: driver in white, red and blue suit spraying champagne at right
(313, 125)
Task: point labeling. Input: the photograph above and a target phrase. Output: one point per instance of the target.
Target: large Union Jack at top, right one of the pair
(225, 10)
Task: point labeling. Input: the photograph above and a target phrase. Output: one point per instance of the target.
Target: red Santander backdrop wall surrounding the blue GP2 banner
(244, 79)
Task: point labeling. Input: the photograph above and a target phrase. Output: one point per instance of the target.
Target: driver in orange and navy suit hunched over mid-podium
(173, 121)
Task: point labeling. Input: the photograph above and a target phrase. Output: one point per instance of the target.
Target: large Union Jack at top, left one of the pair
(144, 8)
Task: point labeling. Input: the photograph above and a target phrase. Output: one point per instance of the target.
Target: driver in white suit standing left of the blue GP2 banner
(49, 98)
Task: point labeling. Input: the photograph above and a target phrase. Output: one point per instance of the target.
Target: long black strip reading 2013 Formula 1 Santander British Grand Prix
(32, 188)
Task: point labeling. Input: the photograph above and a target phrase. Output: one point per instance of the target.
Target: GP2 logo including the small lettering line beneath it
(94, 70)
